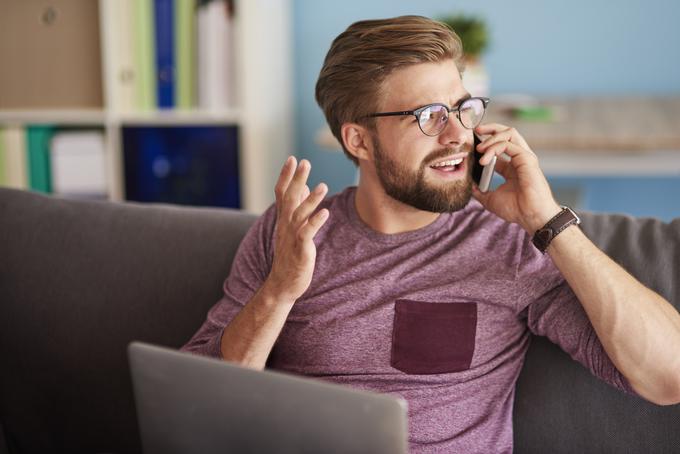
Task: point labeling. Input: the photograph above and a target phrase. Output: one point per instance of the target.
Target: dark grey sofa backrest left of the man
(78, 281)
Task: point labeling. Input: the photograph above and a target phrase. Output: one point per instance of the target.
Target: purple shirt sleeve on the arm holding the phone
(557, 314)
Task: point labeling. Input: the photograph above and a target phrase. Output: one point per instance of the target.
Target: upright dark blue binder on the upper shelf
(165, 53)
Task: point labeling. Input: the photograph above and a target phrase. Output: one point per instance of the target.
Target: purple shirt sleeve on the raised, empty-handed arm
(249, 269)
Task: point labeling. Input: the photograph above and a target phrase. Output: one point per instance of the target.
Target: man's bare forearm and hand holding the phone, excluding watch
(639, 330)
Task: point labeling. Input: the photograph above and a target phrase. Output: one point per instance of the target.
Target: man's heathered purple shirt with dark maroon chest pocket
(440, 316)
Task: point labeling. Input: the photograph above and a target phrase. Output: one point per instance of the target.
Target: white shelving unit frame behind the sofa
(263, 114)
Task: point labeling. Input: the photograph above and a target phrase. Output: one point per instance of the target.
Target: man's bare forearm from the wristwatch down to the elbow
(639, 330)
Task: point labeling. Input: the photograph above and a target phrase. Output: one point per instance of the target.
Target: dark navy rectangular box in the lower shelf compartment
(188, 165)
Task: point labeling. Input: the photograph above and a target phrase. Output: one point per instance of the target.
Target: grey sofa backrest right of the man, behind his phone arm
(559, 406)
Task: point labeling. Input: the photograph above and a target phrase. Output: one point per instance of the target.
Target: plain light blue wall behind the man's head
(558, 48)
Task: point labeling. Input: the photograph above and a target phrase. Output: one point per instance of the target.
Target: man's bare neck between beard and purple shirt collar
(384, 214)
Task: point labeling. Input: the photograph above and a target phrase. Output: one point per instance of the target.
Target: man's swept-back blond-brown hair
(350, 82)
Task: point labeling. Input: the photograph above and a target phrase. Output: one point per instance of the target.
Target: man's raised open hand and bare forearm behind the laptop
(251, 335)
